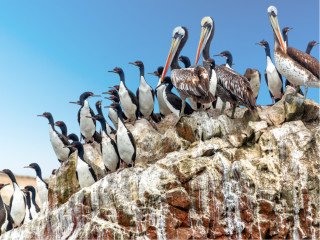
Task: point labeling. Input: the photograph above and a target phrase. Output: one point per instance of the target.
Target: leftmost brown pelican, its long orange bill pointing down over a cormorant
(189, 82)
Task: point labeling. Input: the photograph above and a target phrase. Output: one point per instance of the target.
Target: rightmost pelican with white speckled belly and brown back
(298, 67)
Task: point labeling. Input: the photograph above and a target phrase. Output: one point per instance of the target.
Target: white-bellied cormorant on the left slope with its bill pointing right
(87, 125)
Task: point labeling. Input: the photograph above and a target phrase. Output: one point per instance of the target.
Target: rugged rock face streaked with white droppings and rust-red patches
(253, 177)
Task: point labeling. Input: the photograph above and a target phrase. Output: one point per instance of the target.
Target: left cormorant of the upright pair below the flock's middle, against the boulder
(109, 150)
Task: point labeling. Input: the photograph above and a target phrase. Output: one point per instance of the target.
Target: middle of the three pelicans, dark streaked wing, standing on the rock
(231, 86)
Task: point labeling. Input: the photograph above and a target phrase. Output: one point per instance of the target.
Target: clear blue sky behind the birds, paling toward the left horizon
(52, 51)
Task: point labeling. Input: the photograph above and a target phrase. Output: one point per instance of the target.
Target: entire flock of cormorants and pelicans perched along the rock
(207, 86)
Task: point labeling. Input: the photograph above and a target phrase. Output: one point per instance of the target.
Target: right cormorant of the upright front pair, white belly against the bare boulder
(125, 142)
